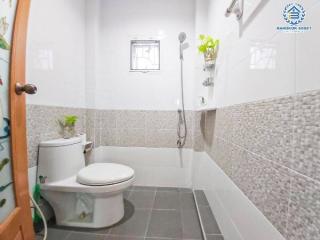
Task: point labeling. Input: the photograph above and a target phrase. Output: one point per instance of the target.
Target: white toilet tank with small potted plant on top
(60, 159)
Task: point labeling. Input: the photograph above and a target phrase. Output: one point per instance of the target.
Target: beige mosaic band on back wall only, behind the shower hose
(129, 128)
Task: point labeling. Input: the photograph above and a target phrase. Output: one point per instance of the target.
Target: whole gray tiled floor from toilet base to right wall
(153, 213)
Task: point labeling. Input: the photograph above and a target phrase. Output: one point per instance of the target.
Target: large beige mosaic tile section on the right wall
(271, 150)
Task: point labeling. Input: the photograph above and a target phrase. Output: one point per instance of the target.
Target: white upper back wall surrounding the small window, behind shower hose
(140, 19)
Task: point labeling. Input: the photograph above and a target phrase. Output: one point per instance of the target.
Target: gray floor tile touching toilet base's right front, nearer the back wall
(142, 199)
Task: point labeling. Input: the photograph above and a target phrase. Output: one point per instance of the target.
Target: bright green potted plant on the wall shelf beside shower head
(209, 48)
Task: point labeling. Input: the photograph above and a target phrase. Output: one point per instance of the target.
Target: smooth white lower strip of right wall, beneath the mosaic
(237, 216)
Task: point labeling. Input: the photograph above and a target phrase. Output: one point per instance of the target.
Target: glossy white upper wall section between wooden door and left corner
(56, 52)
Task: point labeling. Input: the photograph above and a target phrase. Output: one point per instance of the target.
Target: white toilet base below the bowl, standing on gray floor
(86, 210)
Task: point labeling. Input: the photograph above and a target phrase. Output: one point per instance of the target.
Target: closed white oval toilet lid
(100, 174)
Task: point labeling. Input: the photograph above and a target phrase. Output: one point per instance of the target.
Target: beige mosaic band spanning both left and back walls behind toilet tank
(126, 128)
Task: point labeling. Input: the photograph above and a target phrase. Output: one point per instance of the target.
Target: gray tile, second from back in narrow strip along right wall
(210, 224)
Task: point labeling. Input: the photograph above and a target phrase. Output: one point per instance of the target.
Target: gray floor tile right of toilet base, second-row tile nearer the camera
(134, 225)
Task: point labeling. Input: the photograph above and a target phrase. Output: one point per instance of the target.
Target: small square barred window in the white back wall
(145, 55)
